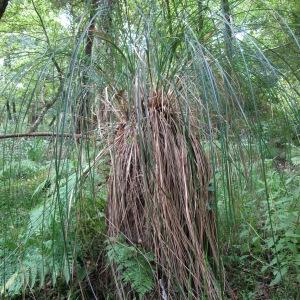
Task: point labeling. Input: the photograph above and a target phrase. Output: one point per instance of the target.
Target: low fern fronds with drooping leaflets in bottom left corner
(36, 264)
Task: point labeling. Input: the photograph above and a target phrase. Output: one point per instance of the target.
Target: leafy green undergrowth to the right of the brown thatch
(265, 246)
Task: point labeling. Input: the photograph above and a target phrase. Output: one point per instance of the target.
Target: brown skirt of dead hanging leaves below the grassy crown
(159, 198)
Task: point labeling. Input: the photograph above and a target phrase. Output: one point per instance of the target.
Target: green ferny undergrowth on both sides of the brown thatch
(260, 248)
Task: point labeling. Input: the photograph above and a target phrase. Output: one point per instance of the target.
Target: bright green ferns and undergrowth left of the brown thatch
(39, 202)
